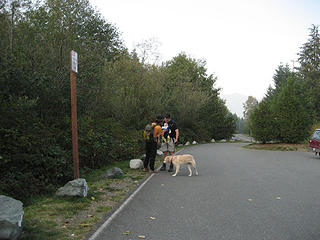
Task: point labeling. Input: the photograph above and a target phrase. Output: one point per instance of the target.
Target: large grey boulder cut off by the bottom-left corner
(11, 215)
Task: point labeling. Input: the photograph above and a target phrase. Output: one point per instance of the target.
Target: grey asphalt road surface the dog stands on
(239, 194)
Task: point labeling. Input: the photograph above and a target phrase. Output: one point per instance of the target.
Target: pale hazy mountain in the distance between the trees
(235, 102)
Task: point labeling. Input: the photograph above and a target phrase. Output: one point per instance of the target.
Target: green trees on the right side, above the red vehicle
(290, 110)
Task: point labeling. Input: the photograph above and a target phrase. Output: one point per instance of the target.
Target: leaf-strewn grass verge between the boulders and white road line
(57, 218)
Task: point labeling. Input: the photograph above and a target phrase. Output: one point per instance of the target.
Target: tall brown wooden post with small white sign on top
(73, 71)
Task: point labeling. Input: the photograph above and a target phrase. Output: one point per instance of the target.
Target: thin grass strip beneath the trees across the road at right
(279, 147)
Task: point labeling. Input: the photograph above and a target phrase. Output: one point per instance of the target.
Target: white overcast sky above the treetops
(243, 42)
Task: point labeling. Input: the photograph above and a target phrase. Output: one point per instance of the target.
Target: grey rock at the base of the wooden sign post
(74, 188)
